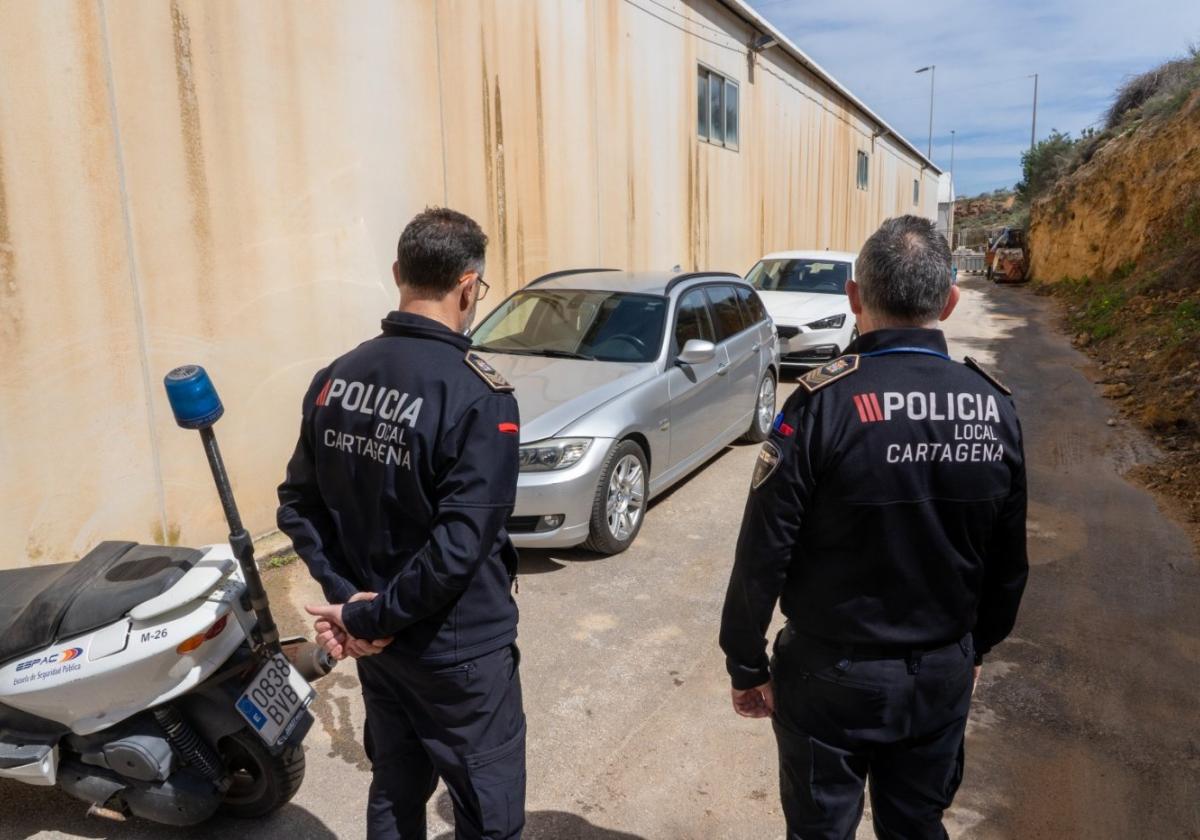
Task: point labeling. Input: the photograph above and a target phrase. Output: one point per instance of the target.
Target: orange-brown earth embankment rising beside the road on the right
(1118, 239)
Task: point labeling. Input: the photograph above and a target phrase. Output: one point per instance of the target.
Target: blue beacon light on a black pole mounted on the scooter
(196, 405)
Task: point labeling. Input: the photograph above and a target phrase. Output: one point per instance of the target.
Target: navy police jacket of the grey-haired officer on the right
(887, 508)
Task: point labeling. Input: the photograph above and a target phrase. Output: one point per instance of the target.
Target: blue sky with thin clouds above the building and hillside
(985, 56)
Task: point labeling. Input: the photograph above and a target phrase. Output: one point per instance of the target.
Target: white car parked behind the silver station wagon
(806, 296)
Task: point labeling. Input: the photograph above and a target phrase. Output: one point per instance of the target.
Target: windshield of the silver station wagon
(575, 325)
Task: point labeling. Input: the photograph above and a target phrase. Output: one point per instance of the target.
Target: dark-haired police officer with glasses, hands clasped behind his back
(397, 500)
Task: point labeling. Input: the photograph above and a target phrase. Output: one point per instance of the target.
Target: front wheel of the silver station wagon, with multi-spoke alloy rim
(620, 506)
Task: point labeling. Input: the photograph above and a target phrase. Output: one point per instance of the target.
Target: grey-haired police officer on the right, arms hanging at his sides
(887, 513)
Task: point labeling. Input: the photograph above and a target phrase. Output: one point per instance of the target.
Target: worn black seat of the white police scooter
(44, 605)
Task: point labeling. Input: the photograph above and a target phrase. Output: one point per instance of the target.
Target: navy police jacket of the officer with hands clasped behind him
(401, 484)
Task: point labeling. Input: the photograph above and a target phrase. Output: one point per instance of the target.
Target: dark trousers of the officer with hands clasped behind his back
(464, 723)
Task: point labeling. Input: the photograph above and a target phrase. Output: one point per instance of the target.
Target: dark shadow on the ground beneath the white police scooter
(32, 812)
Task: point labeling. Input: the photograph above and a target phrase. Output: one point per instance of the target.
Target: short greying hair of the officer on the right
(904, 271)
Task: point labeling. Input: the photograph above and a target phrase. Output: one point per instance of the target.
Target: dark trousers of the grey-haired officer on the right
(842, 719)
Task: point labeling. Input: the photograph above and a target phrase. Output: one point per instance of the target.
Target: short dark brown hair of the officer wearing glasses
(439, 248)
